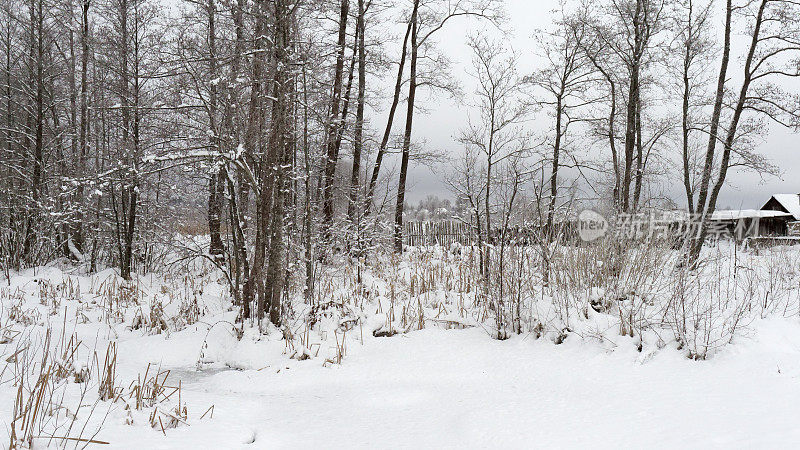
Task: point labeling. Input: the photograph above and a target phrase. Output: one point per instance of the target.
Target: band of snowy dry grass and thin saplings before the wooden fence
(639, 286)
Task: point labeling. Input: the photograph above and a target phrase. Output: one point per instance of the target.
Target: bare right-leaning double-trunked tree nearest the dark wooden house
(774, 42)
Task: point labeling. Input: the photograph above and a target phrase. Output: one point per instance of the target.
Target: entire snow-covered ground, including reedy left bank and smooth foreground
(331, 383)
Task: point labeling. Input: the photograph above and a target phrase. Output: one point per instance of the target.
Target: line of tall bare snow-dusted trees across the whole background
(279, 120)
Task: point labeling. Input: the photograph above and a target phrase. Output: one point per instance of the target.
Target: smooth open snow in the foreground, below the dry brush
(457, 388)
